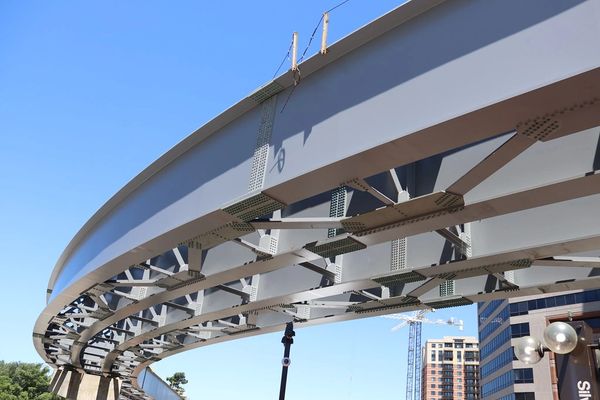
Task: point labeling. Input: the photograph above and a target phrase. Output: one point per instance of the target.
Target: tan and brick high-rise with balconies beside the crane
(451, 369)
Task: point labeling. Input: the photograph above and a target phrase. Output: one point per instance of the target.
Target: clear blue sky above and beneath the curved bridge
(91, 92)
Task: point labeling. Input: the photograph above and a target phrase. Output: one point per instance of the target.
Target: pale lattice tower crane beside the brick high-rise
(414, 322)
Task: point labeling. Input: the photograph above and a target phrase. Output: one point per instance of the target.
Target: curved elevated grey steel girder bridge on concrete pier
(445, 154)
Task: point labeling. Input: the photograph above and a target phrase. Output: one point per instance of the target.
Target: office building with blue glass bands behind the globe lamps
(502, 322)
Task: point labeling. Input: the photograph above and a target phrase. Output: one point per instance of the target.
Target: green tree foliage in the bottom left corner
(24, 381)
